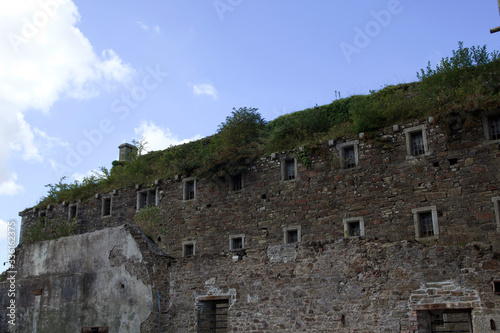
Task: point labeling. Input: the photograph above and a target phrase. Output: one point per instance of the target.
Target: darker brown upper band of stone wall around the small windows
(457, 175)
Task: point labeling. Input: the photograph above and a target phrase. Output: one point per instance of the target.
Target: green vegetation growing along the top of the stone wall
(458, 89)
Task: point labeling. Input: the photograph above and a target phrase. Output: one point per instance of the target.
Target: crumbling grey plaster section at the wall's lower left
(102, 271)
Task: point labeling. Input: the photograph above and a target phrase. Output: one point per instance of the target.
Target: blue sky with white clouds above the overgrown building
(80, 77)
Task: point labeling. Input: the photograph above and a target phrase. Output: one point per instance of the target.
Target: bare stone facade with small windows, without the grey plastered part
(429, 231)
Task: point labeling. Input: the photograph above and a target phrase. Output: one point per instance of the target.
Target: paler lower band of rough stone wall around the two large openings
(347, 285)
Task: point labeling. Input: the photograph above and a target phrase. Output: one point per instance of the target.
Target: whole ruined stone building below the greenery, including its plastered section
(396, 234)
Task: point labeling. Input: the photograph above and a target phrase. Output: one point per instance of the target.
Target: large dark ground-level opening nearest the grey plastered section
(212, 316)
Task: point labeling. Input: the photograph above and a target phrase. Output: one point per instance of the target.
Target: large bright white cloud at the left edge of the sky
(44, 58)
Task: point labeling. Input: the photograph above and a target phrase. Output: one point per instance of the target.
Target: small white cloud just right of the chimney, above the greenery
(159, 138)
